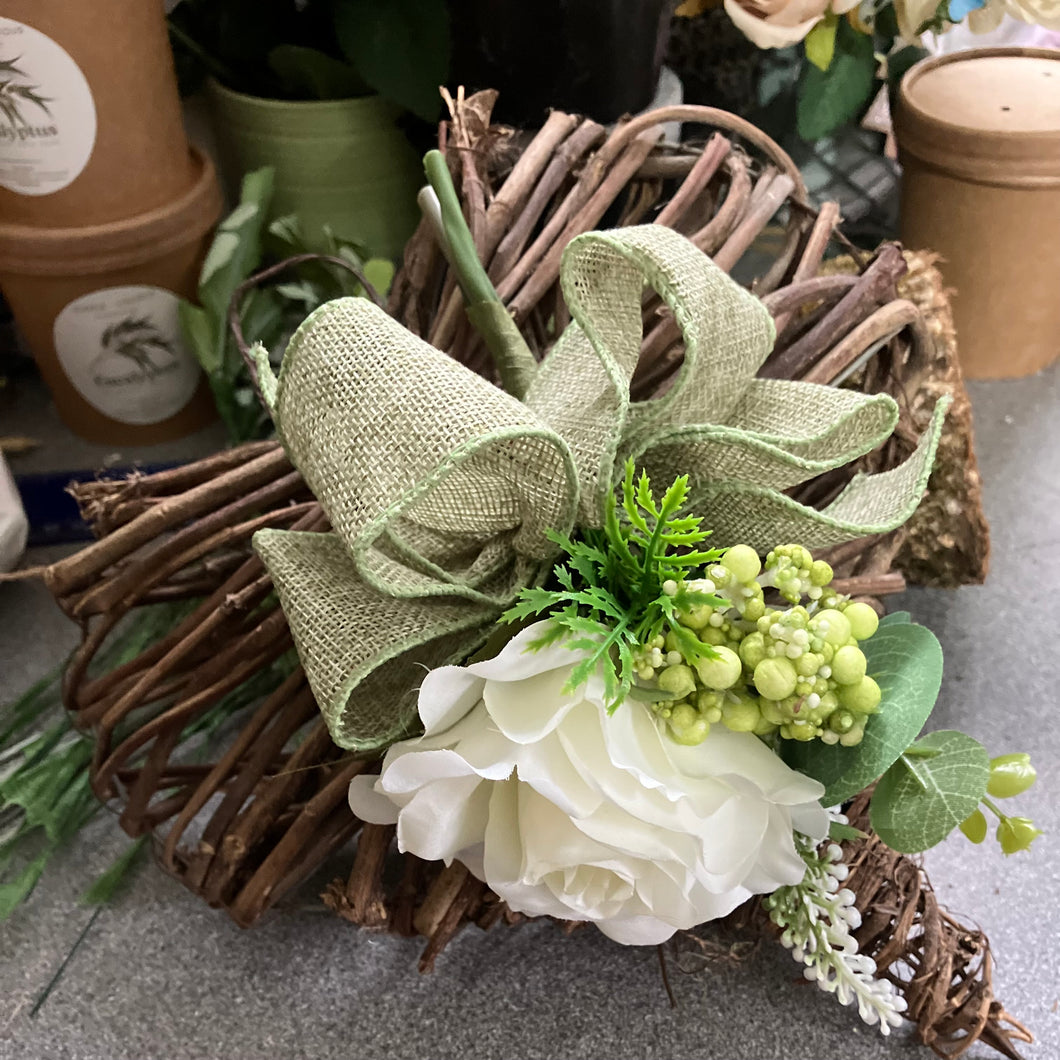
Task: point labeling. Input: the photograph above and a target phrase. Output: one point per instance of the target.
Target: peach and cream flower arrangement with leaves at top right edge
(850, 47)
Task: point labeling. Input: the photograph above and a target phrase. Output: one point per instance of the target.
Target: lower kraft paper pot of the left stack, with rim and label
(99, 309)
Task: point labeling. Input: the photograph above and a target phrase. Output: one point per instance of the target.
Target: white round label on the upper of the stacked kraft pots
(47, 113)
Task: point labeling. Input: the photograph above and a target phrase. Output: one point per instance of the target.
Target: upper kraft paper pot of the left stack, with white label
(93, 129)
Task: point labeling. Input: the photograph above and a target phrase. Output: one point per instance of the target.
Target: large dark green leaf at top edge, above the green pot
(401, 48)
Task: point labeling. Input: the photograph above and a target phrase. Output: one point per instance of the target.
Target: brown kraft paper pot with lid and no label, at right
(979, 137)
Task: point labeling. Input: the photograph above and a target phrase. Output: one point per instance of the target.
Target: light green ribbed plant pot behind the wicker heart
(344, 164)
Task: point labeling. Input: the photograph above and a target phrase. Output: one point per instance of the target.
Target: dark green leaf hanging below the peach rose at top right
(828, 99)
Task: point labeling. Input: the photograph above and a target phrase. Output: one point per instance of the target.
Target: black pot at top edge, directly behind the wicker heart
(596, 59)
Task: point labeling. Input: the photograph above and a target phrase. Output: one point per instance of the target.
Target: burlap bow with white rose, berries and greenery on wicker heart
(665, 745)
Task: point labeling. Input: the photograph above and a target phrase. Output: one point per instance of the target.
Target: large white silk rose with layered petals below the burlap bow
(568, 811)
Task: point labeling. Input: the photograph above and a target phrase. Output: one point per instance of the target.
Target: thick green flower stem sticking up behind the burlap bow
(487, 313)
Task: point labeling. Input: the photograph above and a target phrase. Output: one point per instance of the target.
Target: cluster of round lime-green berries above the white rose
(794, 672)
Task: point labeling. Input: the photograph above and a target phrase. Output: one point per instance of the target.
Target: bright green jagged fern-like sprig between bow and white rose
(623, 586)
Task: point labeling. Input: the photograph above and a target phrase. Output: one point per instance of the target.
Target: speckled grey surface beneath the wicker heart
(160, 976)
